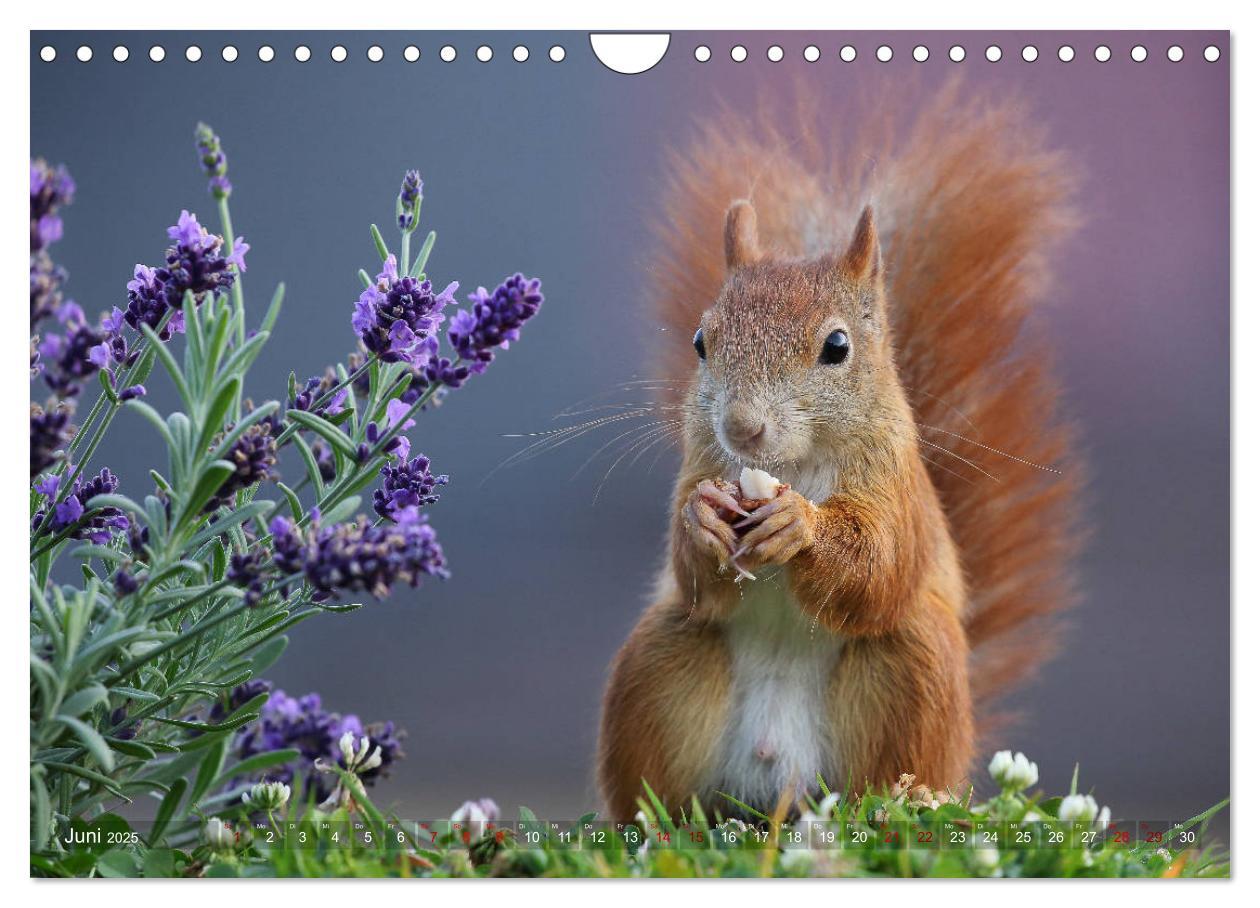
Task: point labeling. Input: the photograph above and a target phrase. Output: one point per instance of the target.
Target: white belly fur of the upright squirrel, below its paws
(781, 668)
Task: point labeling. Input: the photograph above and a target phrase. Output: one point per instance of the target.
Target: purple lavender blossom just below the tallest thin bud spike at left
(195, 263)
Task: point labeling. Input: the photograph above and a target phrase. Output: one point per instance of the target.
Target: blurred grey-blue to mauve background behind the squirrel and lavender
(553, 168)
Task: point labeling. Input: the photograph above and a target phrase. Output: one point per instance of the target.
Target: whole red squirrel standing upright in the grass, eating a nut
(868, 338)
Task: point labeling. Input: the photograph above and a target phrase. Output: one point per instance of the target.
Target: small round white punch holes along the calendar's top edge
(776, 54)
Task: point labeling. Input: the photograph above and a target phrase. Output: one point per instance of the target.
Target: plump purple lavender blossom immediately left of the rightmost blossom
(398, 318)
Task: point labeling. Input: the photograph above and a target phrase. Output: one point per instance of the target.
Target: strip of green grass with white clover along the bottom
(876, 834)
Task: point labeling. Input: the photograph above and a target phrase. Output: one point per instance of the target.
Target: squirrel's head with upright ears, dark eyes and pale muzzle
(796, 356)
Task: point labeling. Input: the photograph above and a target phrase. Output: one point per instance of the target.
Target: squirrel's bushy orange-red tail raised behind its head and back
(970, 202)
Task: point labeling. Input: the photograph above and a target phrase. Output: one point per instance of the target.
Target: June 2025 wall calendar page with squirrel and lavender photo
(629, 455)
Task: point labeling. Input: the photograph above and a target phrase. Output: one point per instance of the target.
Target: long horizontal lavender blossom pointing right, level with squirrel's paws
(360, 556)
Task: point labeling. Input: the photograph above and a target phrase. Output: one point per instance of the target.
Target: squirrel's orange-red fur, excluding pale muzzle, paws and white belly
(942, 581)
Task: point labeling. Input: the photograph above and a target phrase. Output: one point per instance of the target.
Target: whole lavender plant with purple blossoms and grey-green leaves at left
(147, 667)
